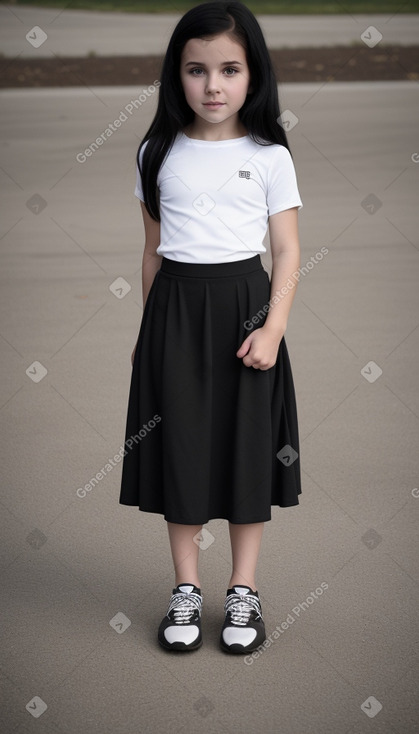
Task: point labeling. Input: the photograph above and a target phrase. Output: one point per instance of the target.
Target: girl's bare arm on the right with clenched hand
(260, 348)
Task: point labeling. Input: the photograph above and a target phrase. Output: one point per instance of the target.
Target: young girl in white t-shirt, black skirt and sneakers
(212, 422)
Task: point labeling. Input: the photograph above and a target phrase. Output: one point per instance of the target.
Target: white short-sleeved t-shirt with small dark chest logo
(216, 196)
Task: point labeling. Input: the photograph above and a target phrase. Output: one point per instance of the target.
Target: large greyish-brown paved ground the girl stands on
(338, 575)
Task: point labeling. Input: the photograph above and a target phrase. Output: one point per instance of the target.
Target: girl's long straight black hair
(260, 111)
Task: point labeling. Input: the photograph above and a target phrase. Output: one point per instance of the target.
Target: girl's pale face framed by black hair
(215, 78)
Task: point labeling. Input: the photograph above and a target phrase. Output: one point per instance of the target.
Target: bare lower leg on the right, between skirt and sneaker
(245, 547)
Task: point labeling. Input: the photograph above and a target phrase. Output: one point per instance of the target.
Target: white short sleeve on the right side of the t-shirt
(282, 182)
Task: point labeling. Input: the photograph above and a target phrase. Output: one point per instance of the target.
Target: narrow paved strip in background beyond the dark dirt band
(77, 33)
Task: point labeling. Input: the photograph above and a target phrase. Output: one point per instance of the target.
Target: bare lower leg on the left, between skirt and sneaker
(185, 552)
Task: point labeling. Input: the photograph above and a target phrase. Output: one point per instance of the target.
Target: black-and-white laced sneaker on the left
(181, 627)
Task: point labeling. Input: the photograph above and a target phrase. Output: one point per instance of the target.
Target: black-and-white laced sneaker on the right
(243, 629)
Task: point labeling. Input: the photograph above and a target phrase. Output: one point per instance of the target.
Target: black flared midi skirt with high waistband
(206, 436)
